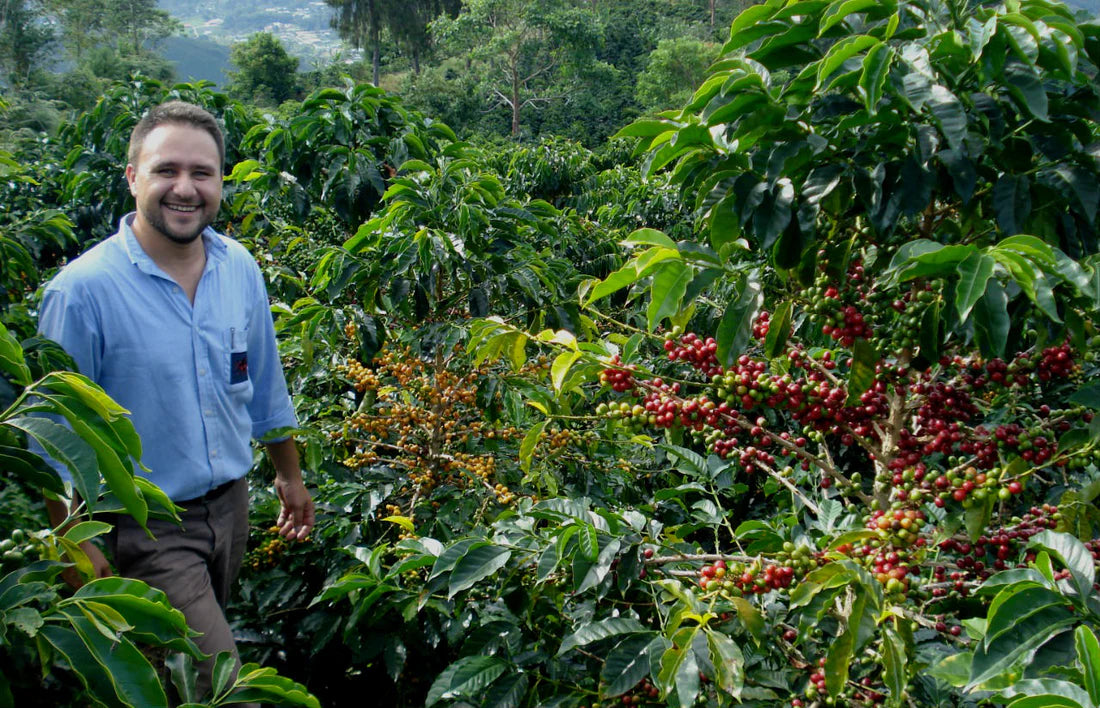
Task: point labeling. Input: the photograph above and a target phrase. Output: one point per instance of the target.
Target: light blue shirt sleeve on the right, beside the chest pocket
(271, 406)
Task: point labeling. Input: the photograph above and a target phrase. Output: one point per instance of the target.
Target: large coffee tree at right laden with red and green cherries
(882, 408)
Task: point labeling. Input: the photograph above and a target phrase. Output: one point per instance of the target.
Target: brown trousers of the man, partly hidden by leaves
(195, 563)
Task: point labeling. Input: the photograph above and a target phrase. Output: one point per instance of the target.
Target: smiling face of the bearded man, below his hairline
(177, 183)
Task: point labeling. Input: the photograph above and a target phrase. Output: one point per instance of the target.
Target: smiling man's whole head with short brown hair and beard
(177, 156)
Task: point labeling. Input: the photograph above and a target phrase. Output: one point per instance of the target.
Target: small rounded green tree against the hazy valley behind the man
(266, 74)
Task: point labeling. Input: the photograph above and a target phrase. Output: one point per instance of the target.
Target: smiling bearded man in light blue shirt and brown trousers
(172, 319)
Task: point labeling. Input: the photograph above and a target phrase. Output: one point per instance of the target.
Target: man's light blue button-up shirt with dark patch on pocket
(201, 381)
